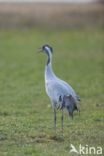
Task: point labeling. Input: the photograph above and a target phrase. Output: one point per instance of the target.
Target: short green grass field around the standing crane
(26, 118)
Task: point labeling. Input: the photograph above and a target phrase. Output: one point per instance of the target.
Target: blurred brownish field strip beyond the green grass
(69, 14)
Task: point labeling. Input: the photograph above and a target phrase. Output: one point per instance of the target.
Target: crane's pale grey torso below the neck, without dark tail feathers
(56, 88)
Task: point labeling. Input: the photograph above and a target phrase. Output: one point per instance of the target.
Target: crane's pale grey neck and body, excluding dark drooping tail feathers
(56, 87)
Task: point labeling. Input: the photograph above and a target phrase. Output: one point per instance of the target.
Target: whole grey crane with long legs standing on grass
(61, 94)
